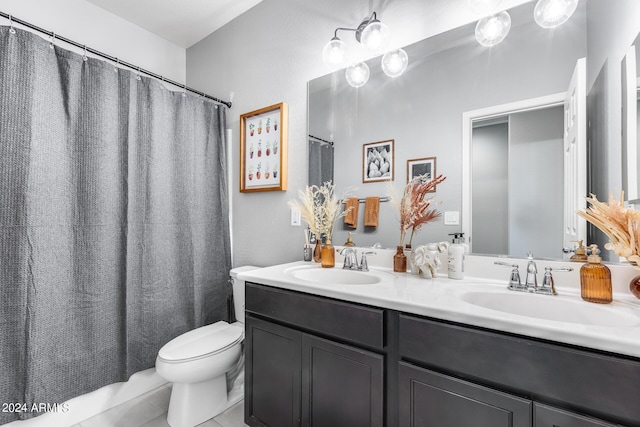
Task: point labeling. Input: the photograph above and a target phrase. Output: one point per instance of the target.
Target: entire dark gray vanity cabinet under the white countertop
(316, 361)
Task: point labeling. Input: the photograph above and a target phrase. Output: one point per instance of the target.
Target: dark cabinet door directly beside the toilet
(272, 375)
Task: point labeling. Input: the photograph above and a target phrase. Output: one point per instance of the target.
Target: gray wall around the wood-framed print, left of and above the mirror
(266, 56)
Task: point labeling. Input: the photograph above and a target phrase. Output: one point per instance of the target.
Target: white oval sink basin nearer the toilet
(338, 276)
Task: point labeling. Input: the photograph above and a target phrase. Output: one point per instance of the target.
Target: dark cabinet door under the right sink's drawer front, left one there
(428, 398)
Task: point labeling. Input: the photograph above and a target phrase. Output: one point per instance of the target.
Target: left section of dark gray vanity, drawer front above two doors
(312, 361)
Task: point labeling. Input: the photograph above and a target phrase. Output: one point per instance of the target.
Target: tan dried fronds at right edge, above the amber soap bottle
(620, 224)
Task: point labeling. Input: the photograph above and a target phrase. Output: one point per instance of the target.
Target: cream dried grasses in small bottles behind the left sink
(320, 208)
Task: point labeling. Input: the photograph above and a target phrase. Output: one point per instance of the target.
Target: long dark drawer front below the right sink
(603, 385)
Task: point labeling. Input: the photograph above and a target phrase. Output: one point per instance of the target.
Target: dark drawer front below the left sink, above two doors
(352, 322)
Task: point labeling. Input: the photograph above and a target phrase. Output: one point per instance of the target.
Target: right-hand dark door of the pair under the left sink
(341, 385)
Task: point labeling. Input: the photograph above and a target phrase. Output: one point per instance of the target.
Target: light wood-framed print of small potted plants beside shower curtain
(263, 149)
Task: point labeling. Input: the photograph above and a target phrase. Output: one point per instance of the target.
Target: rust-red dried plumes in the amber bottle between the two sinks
(414, 208)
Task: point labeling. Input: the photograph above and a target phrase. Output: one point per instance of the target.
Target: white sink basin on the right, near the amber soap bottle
(555, 308)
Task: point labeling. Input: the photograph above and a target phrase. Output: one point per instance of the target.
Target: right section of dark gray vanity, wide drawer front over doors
(483, 371)
